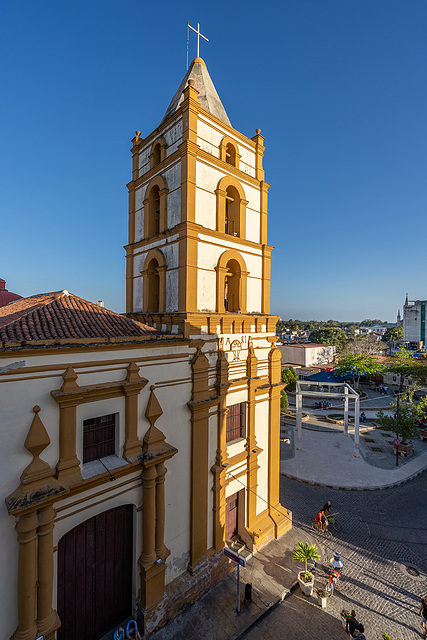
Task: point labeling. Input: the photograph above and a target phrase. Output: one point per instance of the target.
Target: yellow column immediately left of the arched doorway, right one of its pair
(47, 618)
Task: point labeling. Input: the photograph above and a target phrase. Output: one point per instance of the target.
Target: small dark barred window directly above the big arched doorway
(99, 437)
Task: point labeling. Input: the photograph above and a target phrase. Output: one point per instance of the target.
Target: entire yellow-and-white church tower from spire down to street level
(198, 265)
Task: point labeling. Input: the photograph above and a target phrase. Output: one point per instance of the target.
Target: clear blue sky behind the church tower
(338, 88)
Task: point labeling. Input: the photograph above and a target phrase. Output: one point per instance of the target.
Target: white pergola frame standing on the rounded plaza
(343, 392)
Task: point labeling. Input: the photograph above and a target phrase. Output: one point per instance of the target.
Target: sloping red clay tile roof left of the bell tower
(63, 316)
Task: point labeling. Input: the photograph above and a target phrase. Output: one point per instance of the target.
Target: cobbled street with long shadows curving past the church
(382, 532)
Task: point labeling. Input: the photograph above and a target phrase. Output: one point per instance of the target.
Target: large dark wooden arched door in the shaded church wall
(95, 575)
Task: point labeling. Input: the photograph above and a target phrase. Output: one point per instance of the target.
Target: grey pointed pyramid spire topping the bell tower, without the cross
(208, 96)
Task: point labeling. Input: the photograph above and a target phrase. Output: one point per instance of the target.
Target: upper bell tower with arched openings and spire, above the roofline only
(197, 258)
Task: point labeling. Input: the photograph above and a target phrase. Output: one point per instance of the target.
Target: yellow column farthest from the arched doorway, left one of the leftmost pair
(27, 577)
